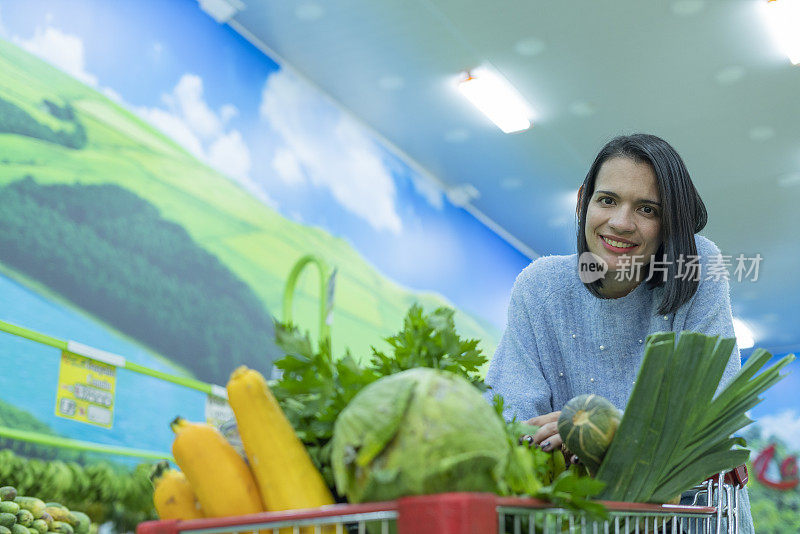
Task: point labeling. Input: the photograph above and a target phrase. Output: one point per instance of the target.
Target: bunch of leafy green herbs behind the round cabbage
(314, 387)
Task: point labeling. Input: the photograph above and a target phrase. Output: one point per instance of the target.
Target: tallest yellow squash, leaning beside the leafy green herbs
(283, 469)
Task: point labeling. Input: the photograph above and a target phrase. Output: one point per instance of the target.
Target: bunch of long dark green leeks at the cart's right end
(674, 432)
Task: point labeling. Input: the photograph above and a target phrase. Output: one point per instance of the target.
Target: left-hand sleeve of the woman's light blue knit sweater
(515, 370)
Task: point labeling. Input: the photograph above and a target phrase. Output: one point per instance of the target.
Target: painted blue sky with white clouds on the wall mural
(239, 111)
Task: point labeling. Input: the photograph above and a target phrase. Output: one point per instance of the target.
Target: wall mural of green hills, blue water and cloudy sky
(159, 177)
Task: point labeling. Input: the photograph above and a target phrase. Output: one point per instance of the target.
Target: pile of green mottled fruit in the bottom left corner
(29, 515)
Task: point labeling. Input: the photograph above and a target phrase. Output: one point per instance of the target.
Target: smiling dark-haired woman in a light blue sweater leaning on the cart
(564, 337)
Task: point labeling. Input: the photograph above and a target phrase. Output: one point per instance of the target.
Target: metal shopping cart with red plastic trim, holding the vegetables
(715, 509)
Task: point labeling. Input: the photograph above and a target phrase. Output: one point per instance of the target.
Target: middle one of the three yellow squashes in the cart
(219, 477)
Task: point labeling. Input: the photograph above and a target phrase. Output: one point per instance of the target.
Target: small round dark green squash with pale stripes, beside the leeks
(587, 425)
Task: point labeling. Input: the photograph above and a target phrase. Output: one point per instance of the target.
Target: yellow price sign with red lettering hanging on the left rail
(86, 390)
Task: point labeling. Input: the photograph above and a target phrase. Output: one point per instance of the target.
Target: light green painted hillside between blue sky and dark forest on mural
(253, 241)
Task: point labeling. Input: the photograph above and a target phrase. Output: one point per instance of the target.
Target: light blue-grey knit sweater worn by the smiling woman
(561, 341)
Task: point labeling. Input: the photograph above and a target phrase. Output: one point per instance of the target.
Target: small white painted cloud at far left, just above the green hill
(61, 50)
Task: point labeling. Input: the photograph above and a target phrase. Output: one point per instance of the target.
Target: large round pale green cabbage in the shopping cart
(418, 432)
